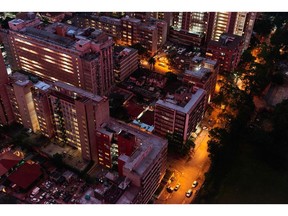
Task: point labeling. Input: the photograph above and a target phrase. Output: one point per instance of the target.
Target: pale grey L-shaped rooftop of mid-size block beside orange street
(172, 104)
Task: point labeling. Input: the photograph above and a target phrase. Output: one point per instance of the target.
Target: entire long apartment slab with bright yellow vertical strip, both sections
(59, 110)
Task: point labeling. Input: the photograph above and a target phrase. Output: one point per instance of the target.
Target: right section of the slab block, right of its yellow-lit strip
(76, 116)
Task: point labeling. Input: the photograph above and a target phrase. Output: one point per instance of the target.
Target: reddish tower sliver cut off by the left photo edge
(6, 113)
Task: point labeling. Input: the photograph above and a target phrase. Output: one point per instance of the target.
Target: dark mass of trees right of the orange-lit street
(250, 160)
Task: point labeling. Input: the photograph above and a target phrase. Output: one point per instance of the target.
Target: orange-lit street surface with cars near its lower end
(186, 171)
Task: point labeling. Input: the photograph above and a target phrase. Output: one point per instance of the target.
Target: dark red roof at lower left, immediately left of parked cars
(25, 175)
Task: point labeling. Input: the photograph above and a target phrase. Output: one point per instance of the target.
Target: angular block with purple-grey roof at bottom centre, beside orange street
(140, 157)
